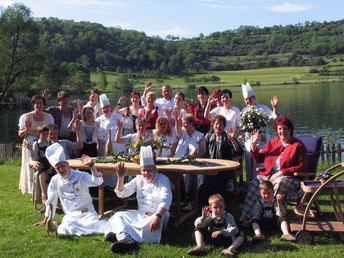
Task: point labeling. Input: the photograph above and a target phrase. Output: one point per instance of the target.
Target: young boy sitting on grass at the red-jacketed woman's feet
(268, 211)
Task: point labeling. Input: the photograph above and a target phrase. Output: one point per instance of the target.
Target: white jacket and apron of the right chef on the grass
(150, 196)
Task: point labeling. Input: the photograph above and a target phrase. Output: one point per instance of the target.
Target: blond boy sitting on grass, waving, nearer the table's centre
(216, 227)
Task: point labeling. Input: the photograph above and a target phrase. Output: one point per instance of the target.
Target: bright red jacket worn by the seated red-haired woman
(293, 159)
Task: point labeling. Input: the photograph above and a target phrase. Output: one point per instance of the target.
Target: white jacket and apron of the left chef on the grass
(80, 216)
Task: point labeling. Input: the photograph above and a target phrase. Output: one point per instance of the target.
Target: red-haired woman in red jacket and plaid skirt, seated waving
(282, 157)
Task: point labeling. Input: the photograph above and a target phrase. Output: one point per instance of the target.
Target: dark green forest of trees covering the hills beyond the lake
(55, 53)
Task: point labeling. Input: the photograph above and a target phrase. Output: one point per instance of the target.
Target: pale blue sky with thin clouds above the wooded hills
(186, 18)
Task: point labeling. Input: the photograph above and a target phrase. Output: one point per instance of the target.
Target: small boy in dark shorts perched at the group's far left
(39, 161)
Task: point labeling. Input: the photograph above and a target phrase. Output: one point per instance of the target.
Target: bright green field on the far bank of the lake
(265, 76)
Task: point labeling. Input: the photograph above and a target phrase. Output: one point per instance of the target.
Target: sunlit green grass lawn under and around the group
(19, 238)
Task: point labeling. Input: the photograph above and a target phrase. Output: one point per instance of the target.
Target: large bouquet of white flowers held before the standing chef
(253, 118)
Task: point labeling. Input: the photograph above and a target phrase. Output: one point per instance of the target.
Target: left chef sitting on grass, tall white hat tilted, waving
(72, 188)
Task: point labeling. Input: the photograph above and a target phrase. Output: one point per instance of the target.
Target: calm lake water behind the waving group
(314, 109)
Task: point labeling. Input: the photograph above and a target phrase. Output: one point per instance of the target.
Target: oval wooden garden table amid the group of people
(173, 172)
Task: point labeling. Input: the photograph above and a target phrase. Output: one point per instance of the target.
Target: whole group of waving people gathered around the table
(210, 128)
